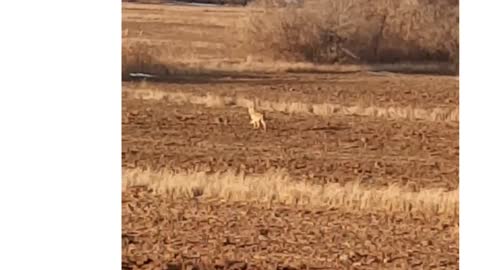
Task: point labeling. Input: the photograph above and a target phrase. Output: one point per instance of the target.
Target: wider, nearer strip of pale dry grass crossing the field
(276, 187)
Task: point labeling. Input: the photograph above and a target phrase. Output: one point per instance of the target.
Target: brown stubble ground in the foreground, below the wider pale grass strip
(210, 234)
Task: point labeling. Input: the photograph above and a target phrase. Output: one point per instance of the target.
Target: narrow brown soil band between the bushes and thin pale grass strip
(363, 89)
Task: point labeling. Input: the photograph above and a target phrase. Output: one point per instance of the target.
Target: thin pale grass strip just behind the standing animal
(325, 109)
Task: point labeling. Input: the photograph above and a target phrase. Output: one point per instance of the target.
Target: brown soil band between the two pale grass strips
(323, 150)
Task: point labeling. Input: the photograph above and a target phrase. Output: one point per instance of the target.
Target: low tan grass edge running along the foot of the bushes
(141, 56)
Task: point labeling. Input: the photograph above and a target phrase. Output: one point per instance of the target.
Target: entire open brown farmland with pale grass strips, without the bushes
(356, 170)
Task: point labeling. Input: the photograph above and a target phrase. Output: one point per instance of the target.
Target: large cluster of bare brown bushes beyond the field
(333, 31)
